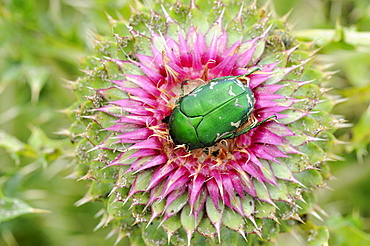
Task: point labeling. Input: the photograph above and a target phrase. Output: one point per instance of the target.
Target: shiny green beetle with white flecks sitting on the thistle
(212, 112)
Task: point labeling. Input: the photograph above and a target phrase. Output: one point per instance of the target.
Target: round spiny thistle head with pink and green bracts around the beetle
(259, 182)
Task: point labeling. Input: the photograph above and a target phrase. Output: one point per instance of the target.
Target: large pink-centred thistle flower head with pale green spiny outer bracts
(247, 183)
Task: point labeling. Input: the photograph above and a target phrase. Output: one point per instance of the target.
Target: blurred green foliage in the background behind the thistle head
(41, 43)
